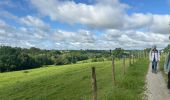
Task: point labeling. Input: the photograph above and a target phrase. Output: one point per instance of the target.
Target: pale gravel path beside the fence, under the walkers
(156, 86)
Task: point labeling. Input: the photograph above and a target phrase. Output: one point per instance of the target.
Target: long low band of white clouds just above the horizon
(81, 39)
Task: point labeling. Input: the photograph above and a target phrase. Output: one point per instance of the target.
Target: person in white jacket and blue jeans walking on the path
(154, 58)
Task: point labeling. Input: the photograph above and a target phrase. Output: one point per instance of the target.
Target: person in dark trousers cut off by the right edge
(167, 69)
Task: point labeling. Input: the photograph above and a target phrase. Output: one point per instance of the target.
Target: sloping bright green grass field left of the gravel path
(73, 82)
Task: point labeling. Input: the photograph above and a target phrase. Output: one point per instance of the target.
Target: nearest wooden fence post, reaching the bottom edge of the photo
(94, 84)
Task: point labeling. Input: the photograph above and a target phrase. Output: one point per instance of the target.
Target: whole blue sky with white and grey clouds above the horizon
(85, 24)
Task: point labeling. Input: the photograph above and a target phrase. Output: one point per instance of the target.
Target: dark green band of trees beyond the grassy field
(16, 58)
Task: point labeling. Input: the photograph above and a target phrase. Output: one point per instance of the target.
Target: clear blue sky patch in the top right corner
(149, 6)
